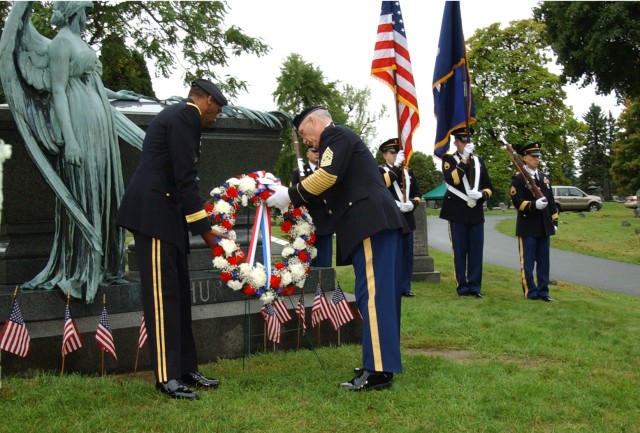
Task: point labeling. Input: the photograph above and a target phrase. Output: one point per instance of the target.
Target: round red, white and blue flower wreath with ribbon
(239, 270)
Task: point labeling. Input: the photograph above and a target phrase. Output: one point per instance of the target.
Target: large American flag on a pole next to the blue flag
(392, 65)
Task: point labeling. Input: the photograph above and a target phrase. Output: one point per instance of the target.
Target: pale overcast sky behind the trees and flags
(338, 37)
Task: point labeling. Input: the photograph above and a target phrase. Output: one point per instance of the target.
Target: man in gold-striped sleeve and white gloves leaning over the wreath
(368, 227)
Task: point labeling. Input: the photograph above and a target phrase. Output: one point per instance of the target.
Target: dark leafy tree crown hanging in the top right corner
(596, 42)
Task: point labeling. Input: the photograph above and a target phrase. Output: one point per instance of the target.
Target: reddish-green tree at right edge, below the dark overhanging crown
(625, 168)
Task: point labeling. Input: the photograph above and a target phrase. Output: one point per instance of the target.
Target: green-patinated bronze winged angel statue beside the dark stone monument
(55, 93)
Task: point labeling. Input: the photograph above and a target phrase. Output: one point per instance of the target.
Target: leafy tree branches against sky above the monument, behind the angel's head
(188, 36)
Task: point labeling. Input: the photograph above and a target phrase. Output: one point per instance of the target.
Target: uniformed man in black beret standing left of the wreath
(161, 204)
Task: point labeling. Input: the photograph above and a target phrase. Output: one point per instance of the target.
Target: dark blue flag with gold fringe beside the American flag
(453, 101)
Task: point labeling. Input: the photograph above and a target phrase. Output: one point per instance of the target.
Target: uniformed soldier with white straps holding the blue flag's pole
(468, 187)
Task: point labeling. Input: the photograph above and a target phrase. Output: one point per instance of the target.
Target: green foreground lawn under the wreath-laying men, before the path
(500, 364)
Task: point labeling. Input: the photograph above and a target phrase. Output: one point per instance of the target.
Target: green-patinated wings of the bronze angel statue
(26, 81)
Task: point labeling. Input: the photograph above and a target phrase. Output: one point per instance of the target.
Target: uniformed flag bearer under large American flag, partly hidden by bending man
(407, 204)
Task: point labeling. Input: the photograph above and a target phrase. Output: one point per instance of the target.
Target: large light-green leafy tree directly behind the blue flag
(516, 95)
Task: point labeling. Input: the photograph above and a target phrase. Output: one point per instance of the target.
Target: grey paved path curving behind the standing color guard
(502, 250)
